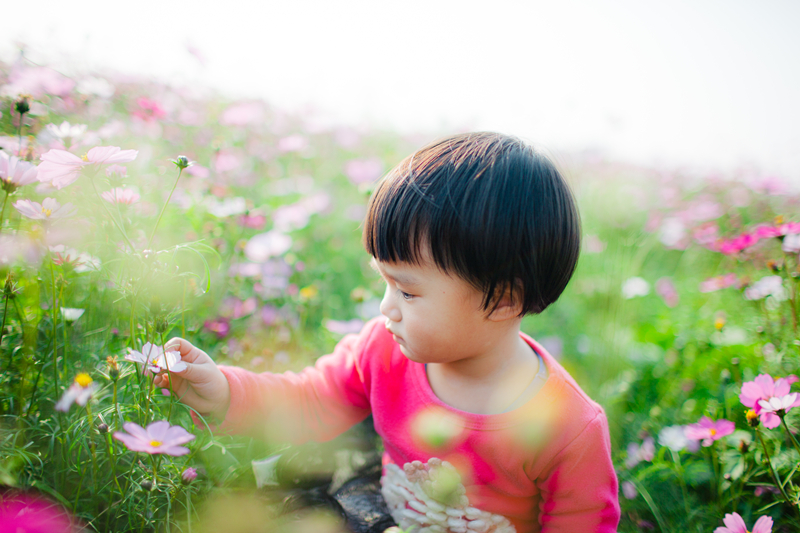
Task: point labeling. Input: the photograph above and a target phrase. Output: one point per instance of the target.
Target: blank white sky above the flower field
(700, 82)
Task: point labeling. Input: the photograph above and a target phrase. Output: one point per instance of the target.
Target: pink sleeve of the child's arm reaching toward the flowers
(317, 404)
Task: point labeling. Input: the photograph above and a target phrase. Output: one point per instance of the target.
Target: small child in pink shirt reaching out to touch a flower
(483, 430)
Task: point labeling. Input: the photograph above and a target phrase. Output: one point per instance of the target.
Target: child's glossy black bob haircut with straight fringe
(489, 209)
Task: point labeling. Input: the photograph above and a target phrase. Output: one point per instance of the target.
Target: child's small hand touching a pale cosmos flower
(201, 385)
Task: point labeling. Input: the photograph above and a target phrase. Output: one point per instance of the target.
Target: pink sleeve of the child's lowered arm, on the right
(579, 491)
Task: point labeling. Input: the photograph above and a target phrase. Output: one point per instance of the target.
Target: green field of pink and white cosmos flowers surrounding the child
(134, 212)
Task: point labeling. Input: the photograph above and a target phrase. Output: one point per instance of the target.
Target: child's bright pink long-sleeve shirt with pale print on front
(545, 466)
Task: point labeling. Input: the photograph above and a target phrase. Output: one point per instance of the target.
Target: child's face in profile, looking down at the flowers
(435, 318)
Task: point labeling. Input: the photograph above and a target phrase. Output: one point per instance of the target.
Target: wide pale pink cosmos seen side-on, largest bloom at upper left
(61, 168)
